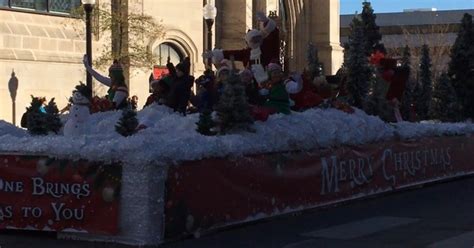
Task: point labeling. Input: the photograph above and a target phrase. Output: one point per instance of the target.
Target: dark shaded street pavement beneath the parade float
(435, 216)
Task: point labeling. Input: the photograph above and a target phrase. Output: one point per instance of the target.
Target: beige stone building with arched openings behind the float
(43, 43)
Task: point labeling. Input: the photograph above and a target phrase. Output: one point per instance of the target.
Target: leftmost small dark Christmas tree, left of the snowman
(35, 117)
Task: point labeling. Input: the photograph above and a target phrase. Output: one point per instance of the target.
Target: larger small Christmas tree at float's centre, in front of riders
(233, 110)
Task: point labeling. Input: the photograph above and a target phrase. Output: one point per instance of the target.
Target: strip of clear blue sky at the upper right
(383, 6)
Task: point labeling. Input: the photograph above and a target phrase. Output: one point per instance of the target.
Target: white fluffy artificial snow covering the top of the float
(171, 137)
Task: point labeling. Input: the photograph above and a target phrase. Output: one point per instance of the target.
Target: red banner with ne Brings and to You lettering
(38, 193)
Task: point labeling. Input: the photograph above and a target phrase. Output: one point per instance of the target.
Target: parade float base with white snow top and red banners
(168, 181)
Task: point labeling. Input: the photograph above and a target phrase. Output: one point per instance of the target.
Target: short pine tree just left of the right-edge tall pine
(444, 105)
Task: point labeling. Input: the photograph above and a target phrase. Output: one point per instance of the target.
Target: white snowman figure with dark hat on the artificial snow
(79, 111)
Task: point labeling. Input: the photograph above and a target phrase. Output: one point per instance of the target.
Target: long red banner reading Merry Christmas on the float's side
(217, 192)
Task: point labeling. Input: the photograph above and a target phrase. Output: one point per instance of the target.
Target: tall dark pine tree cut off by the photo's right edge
(461, 67)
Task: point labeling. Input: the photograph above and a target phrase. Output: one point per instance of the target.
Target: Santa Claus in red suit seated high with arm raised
(263, 46)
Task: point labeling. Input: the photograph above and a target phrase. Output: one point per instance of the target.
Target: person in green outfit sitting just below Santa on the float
(278, 98)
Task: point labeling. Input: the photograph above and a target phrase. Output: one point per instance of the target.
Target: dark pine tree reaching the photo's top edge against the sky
(371, 30)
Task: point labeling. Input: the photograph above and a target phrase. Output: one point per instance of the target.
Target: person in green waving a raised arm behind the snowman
(118, 91)
